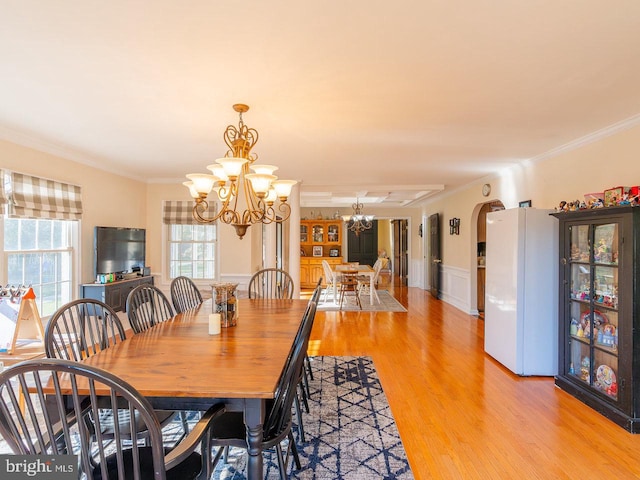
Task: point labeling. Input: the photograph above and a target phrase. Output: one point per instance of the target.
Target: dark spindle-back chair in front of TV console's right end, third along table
(146, 307)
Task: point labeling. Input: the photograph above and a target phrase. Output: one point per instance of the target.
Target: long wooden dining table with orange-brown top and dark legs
(177, 365)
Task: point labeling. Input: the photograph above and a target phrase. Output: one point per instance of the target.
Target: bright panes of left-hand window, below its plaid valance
(39, 252)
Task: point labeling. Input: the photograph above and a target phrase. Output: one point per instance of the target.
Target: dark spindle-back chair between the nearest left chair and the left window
(82, 328)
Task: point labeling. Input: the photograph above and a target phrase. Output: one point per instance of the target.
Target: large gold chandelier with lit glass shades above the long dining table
(247, 198)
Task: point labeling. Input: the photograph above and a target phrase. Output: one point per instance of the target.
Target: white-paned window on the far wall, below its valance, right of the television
(192, 251)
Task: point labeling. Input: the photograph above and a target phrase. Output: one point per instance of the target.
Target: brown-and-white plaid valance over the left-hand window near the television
(34, 197)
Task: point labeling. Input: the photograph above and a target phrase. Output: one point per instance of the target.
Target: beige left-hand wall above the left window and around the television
(107, 199)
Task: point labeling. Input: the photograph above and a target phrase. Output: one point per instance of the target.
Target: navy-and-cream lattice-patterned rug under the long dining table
(350, 431)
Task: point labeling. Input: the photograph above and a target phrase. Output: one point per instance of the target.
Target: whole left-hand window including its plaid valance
(39, 230)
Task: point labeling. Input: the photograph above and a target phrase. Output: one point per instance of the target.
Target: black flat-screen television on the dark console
(118, 250)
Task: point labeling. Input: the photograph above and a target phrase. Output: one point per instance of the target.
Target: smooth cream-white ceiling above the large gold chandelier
(395, 100)
